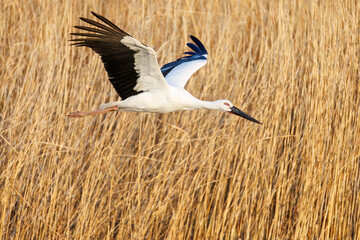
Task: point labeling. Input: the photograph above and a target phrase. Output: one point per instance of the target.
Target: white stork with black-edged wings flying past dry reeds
(134, 72)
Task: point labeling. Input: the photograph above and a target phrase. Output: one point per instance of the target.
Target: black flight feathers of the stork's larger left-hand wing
(118, 59)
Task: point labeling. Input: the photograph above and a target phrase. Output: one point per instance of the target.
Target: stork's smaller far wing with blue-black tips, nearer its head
(177, 73)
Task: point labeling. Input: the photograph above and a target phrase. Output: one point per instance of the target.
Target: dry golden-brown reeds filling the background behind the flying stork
(294, 65)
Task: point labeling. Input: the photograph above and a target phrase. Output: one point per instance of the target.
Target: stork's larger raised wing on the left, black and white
(131, 66)
